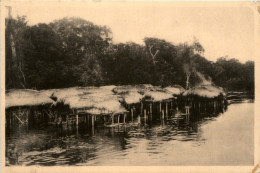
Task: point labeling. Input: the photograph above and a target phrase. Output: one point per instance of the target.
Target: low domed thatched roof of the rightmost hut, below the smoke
(209, 91)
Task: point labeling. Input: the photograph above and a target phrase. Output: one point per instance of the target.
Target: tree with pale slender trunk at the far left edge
(14, 40)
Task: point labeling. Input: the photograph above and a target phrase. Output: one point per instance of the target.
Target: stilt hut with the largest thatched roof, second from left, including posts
(91, 103)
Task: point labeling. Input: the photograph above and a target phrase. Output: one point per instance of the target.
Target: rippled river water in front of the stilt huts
(223, 139)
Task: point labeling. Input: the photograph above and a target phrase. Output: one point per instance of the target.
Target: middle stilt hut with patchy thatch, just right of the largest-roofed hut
(146, 98)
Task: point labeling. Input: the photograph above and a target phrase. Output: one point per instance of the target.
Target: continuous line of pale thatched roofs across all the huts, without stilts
(105, 97)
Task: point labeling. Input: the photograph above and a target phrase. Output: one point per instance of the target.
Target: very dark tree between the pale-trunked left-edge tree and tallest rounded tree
(44, 58)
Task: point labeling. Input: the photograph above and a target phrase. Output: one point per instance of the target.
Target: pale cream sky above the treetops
(223, 30)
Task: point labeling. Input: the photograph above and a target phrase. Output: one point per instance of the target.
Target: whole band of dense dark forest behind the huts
(75, 52)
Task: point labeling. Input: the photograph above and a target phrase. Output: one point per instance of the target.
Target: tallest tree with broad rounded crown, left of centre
(84, 44)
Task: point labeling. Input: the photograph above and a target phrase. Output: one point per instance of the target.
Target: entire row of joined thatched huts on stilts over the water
(108, 104)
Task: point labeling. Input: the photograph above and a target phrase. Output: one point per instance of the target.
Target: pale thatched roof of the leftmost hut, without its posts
(26, 97)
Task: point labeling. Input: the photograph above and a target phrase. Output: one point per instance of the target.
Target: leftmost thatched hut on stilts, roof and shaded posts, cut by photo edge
(24, 105)
